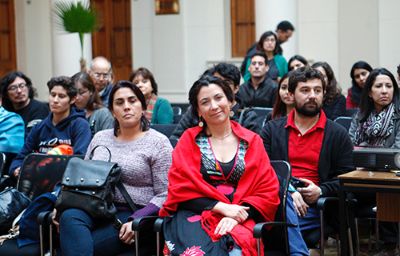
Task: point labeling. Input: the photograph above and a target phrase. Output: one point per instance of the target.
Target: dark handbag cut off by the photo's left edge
(12, 203)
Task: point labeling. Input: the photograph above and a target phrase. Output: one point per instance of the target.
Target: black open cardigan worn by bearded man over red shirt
(335, 157)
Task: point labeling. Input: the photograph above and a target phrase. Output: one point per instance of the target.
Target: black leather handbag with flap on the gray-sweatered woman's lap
(89, 185)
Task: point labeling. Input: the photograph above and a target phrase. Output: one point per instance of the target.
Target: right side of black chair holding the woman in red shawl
(275, 239)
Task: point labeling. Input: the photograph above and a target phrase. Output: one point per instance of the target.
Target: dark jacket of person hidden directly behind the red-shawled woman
(189, 120)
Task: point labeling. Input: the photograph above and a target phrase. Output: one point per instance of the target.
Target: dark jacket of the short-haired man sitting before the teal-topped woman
(264, 96)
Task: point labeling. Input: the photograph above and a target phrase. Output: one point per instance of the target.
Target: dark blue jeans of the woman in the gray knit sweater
(81, 235)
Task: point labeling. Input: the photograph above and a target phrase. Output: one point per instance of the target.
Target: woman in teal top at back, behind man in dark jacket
(276, 62)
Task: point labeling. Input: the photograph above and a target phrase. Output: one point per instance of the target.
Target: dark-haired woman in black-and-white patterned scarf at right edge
(377, 124)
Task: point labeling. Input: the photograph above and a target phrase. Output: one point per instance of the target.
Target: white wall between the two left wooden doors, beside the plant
(43, 49)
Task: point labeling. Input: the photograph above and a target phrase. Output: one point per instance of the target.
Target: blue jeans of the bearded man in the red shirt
(297, 246)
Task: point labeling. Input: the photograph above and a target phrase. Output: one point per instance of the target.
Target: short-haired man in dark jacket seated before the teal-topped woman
(260, 90)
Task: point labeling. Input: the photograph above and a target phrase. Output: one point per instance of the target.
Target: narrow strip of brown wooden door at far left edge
(7, 37)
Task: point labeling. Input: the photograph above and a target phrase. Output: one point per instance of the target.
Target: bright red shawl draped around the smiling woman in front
(258, 185)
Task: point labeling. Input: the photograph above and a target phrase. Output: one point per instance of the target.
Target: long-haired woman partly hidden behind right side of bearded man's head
(334, 104)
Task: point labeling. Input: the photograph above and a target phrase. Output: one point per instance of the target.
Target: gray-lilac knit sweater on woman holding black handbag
(145, 163)
